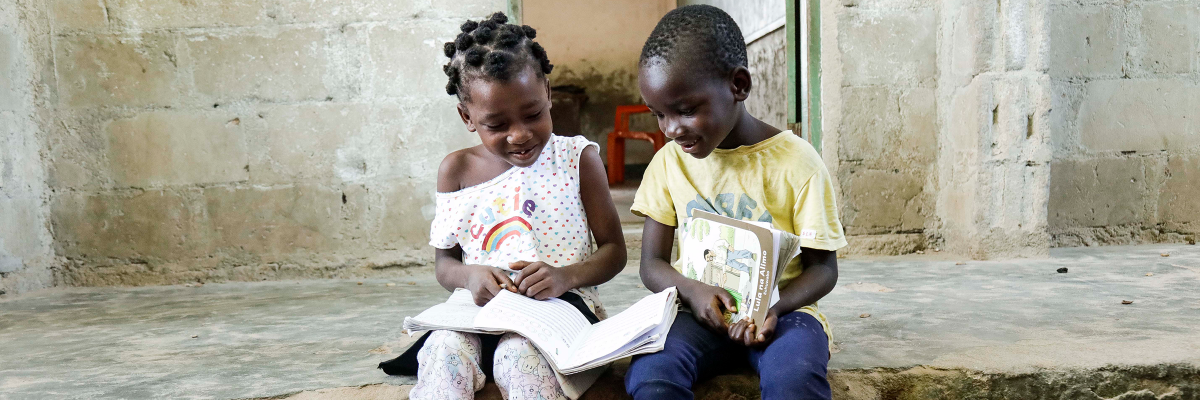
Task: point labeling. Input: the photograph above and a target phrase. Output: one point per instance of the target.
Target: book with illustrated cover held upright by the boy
(742, 258)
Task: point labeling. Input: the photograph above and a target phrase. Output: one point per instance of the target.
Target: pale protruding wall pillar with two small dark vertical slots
(994, 92)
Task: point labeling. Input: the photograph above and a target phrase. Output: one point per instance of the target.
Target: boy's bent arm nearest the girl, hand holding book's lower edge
(705, 301)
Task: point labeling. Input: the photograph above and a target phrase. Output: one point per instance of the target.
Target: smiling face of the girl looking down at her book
(512, 118)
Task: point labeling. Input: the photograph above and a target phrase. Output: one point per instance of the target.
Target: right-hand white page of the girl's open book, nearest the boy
(610, 336)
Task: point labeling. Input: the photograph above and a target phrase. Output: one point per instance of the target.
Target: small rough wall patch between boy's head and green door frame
(767, 58)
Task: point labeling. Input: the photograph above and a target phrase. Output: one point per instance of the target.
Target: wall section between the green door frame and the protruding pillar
(880, 120)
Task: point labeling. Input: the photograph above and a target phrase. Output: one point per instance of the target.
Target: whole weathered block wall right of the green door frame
(999, 130)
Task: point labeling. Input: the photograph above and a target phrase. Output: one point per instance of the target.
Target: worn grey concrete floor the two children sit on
(253, 341)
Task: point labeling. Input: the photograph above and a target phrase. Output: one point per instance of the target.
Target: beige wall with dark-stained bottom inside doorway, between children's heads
(596, 45)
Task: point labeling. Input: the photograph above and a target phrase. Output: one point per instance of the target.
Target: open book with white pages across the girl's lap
(561, 333)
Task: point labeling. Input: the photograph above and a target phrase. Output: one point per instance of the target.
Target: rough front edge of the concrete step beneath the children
(1150, 383)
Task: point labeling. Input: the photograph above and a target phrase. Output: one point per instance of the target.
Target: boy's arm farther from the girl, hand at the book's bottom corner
(819, 279)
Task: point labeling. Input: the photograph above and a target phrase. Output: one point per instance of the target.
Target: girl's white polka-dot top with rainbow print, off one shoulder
(526, 214)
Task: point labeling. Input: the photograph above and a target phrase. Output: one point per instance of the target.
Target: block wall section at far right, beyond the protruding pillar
(1126, 87)
